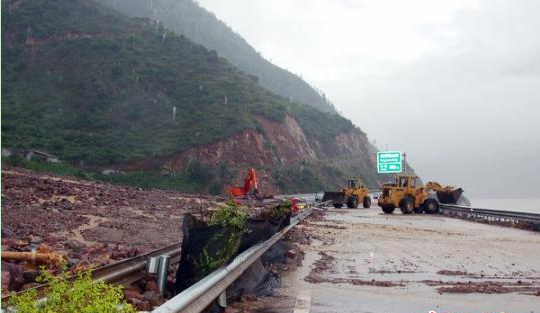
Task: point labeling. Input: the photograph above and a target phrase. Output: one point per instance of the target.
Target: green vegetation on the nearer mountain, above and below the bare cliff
(96, 88)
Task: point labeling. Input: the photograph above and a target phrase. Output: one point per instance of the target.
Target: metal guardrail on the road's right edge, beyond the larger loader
(512, 218)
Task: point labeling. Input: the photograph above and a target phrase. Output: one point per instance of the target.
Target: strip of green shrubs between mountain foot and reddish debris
(199, 178)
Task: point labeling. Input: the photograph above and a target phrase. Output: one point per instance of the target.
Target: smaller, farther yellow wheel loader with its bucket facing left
(352, 195)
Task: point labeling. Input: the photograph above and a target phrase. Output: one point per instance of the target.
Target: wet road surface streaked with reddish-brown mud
(364, 261)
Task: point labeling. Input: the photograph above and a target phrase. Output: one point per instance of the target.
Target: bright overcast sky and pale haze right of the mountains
(455, 84)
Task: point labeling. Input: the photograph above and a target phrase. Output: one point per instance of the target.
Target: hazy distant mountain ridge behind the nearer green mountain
(188, 18)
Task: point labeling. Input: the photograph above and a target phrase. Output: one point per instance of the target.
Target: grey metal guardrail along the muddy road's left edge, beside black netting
(199, 296)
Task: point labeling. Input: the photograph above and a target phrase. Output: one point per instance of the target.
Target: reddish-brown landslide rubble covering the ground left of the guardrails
(91, 223)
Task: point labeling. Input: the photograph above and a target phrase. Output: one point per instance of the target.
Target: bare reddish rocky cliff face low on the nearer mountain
(273, 146)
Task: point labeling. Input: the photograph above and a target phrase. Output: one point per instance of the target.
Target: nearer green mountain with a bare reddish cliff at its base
(104, 91)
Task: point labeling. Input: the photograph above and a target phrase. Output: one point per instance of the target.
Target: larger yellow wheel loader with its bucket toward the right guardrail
(406, 194)
